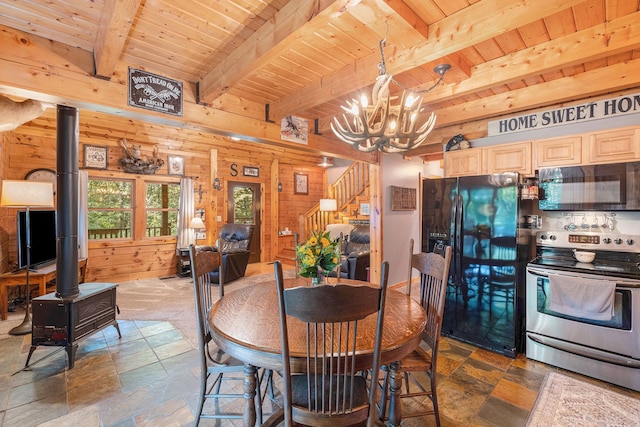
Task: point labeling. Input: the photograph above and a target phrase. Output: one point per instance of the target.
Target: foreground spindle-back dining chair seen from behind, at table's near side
(329, 389)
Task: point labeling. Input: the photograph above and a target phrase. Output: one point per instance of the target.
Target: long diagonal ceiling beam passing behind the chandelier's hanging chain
(453, 33)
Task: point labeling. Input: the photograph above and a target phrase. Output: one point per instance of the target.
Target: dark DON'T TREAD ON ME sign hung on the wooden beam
(153, 92)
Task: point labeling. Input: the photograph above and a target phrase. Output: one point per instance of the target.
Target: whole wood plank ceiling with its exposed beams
(305, 57)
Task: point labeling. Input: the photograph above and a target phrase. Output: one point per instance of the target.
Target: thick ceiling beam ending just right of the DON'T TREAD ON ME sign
(271, 40)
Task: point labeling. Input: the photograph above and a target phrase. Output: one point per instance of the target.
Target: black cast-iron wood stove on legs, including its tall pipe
(74, 311)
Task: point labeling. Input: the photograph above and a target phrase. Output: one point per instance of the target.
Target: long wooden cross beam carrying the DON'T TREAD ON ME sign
(62, 82)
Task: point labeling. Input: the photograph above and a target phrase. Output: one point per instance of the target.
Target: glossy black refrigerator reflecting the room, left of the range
(483, 219)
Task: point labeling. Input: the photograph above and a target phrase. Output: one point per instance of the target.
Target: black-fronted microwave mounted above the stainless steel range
(610, 187)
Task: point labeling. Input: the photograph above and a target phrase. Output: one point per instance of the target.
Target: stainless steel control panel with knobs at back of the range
(589, 241)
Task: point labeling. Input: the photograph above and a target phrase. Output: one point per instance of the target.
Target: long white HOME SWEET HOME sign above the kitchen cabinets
(626, 104)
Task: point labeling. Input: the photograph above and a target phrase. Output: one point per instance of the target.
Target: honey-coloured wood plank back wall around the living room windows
(33, 145)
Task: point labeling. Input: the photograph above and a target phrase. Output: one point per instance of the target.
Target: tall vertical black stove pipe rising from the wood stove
(67, 201)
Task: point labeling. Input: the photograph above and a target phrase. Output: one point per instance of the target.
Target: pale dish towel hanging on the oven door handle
(580, 297)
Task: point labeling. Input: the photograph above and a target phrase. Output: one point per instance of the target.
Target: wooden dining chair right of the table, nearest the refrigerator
(433, 271)
